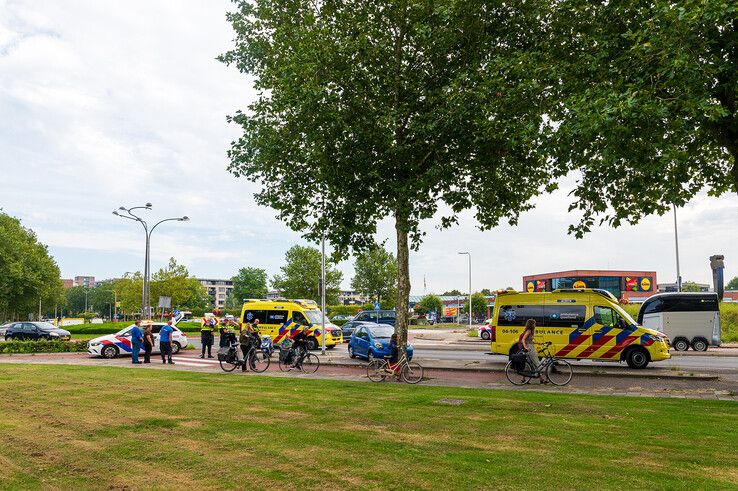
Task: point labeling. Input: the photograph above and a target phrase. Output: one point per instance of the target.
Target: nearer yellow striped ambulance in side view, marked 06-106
(581, 323)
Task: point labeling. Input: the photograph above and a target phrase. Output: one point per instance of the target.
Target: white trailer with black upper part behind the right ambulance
(688, 319)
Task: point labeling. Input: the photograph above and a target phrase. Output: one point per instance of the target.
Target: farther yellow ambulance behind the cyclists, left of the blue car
(283, 318)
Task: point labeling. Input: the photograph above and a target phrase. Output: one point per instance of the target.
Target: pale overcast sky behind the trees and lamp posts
(108, 103)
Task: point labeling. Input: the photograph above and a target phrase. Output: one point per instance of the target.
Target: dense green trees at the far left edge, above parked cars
(27, 272)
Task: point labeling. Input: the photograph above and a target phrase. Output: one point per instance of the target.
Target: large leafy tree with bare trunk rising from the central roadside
(400, 110)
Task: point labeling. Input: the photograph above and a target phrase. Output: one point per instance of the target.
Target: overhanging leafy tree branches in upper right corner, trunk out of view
(647, 114)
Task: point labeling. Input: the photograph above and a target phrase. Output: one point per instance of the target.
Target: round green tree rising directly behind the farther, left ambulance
(301, 275)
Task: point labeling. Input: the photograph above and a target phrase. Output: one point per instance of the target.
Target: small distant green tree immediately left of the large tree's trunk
(376, 275)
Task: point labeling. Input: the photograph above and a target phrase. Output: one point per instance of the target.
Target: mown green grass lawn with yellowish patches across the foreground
(75, 427)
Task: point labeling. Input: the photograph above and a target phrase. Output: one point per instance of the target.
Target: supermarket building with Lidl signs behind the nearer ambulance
(629, 285)
